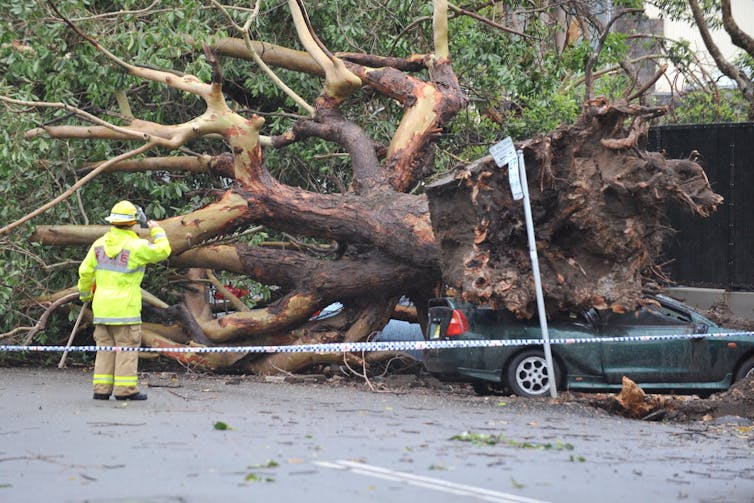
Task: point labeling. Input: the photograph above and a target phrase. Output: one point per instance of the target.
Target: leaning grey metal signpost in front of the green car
(504, 153)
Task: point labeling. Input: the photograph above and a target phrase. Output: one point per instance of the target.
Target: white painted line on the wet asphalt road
(427, 482)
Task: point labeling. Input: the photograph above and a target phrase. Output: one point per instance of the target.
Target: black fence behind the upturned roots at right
(716, 252)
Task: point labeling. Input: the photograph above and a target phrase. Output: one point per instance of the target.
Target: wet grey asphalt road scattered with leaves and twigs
(324, 443)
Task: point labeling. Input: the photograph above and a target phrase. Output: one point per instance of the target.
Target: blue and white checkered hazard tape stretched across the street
(347, 347)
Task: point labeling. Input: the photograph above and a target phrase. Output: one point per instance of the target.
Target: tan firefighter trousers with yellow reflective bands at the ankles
(115, 372)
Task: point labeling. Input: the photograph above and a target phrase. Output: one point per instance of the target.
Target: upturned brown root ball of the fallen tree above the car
(599, 211)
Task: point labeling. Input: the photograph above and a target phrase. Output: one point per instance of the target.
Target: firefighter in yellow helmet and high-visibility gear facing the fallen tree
(110, 277)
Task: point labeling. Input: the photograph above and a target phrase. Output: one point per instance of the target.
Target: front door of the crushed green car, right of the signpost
(651, 361)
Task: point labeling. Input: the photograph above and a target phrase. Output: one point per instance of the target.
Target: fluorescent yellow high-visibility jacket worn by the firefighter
(114, 268)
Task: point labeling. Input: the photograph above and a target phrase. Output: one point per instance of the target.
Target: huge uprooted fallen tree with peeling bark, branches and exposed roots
(598, 199)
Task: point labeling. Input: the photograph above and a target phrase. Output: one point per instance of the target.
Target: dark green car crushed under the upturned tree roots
(689, 358)
